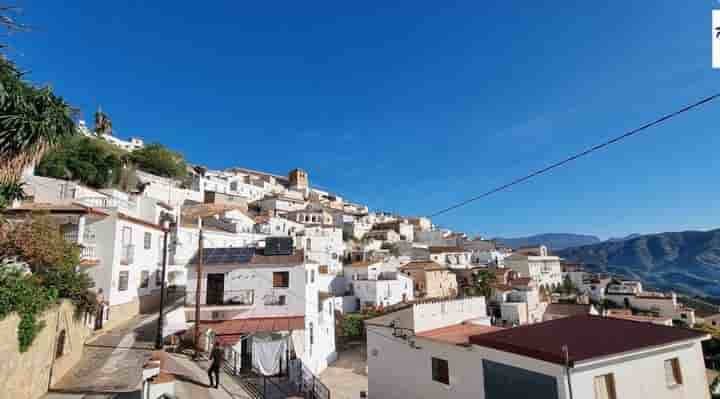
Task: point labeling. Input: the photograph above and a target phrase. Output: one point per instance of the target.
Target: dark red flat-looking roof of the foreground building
(587, 337)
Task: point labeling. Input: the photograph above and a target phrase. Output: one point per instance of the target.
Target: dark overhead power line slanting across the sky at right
(580, 154)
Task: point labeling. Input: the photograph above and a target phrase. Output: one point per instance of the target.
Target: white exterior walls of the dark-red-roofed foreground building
(637, 375)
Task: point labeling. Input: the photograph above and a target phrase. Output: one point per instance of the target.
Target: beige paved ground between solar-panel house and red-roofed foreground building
(347, 376)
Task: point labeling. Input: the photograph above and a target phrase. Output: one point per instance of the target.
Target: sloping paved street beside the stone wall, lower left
(112, 362)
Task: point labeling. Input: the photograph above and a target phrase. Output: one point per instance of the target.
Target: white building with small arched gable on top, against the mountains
(537, 264)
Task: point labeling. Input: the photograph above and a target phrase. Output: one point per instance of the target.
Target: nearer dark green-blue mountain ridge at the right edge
(687, 261)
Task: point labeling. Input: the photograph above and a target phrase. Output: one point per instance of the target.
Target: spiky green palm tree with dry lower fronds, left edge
(32, 120)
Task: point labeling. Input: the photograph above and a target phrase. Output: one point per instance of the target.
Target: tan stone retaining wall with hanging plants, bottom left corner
(28, 375)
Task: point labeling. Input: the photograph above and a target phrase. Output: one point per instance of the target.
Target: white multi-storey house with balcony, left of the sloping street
(121, 252)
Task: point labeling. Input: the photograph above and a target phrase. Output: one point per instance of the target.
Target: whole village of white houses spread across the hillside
(271, 264)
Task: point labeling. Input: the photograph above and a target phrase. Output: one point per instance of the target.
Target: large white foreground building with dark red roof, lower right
(588, 357)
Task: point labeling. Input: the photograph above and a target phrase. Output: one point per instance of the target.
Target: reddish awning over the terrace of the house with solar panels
(229, 332)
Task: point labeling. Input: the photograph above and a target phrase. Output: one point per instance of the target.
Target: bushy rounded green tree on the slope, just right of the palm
(90, 161)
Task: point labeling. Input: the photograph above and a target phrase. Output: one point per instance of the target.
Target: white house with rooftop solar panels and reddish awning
(248, 293)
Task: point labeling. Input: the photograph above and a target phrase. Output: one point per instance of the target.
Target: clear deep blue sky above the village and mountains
(413, 105)
